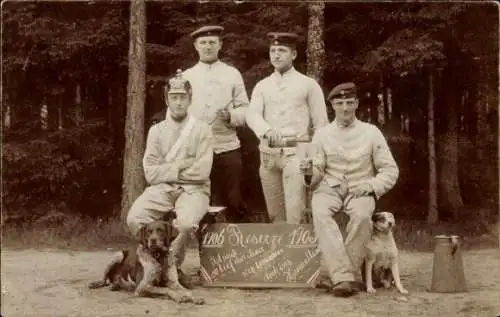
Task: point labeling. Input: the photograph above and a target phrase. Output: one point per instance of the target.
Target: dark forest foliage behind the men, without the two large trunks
(50, 47)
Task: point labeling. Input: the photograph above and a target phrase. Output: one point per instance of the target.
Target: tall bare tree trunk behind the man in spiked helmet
(133, 176)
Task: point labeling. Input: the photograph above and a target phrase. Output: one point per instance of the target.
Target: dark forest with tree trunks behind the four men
(82, 82)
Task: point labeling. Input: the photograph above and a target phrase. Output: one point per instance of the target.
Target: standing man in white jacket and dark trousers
(220, 99)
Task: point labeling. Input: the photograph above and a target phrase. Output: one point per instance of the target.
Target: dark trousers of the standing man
(225, 181)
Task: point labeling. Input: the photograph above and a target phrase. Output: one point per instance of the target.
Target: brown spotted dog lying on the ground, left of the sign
(151, 268)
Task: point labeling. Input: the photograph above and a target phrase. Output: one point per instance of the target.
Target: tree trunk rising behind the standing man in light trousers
(316, 54)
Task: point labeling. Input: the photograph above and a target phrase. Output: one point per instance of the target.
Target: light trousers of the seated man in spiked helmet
(157, 200)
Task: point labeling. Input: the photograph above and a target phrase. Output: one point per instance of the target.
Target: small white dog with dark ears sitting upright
(381, 266)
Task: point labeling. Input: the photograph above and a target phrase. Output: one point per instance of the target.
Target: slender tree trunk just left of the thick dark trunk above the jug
(432, 215)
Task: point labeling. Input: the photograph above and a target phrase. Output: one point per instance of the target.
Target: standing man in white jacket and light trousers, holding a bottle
(284, 105)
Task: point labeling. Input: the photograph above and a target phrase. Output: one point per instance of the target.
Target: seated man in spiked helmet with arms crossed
(177, 163)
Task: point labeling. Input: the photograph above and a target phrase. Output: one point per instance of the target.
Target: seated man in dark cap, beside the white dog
(352, 168)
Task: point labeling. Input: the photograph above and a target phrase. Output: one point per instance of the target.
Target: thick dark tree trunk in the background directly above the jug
(449, 187)
